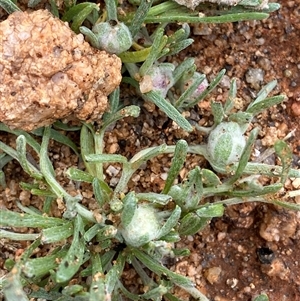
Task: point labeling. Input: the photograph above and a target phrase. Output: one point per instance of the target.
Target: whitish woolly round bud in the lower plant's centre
(143, 227)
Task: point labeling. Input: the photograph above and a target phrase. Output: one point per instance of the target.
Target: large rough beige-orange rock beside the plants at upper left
(47, 72)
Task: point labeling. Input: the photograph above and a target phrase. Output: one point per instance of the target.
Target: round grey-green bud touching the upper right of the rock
(113, 36)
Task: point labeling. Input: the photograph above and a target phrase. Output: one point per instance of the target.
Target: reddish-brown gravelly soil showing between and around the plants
(253, 248)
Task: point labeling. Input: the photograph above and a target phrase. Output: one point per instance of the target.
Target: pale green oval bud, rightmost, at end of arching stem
(225, 145)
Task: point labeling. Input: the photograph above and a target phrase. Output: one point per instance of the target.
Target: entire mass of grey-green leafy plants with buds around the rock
(114, 234)
